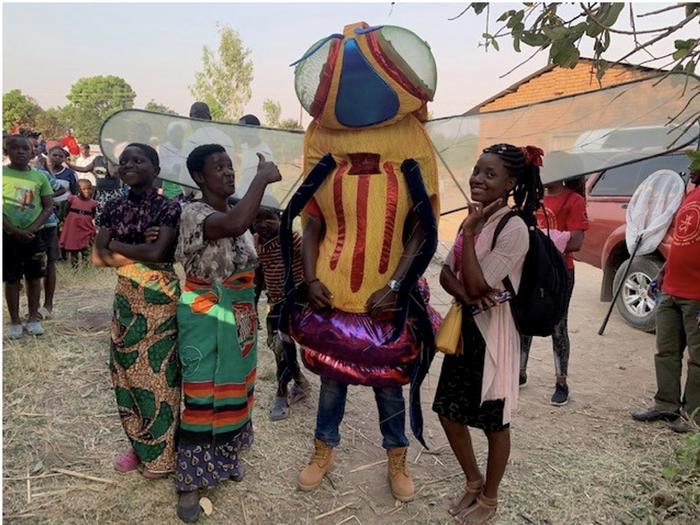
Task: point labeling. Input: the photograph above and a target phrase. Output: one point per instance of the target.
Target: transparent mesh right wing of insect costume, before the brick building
(580, 134)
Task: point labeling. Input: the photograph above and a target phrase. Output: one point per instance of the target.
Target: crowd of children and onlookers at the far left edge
(52, 192)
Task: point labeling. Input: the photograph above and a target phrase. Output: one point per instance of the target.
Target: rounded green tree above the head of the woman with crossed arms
(91, 100)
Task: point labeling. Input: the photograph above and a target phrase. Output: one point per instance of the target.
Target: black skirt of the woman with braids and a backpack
(458, 395)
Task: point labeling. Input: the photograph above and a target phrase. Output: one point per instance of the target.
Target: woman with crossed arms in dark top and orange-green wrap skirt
(143, 360)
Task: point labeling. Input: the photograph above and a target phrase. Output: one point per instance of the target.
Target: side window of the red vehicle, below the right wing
(623, 181)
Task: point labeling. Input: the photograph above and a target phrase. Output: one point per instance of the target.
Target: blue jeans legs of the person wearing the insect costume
(331, 408)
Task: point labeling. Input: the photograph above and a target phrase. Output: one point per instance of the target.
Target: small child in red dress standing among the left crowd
(79, 227)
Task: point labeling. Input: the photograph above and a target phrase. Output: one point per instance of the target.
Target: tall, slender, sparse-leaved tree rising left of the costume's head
(225, 78)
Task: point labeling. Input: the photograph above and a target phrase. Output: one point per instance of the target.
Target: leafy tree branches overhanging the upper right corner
(541, 26)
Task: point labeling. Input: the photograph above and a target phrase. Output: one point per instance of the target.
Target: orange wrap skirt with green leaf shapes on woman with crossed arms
(144, 362)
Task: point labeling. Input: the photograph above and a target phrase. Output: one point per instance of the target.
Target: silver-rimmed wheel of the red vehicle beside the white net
(635, 306)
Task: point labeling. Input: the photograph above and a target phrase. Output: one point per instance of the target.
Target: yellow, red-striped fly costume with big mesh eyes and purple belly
(370, 174)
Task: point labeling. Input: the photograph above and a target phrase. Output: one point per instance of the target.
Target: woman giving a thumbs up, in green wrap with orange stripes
(218, 326)
